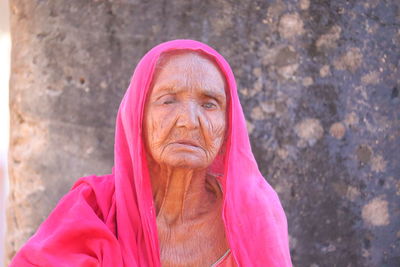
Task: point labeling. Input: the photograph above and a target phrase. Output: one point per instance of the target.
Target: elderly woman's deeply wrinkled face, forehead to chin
(185, 113)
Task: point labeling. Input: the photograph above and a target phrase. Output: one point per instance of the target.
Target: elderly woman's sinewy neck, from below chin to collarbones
(182, 194)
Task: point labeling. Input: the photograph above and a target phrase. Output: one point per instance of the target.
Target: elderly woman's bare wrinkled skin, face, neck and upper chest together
(184, 130)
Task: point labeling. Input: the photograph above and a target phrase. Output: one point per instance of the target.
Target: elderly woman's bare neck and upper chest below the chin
(190, 228)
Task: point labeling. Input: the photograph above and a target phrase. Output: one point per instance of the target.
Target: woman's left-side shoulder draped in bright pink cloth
(79, 231)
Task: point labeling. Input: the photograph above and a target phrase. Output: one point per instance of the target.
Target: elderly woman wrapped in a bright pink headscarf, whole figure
(185, 188)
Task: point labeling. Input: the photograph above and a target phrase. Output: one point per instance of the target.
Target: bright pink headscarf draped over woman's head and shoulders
(110, 220)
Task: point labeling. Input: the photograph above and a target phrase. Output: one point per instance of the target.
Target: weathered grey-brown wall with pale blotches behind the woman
(318, 80)
